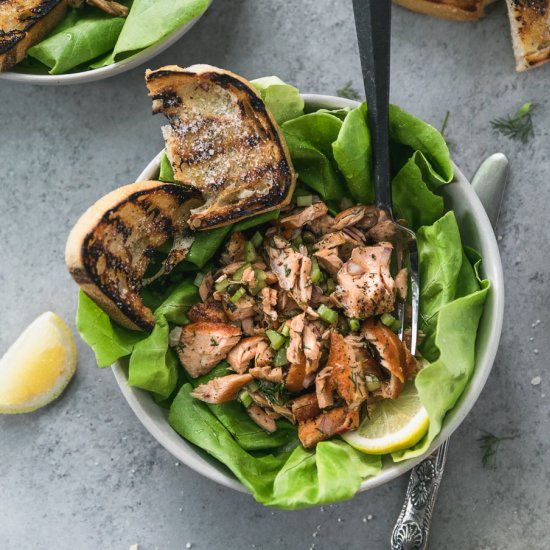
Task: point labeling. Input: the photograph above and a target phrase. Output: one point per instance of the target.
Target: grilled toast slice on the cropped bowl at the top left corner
(23, 23)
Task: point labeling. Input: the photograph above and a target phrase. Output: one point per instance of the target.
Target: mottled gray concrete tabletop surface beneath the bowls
(84, 474)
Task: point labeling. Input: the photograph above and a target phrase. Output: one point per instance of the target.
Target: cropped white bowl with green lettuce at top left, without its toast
(90, 45)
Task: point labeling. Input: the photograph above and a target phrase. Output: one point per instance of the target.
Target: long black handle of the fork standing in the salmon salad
(373, 24)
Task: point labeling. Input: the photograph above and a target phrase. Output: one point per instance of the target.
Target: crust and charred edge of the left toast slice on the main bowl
(79, 237)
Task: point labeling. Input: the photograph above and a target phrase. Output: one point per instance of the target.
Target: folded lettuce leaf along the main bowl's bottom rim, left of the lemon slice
(289, 480)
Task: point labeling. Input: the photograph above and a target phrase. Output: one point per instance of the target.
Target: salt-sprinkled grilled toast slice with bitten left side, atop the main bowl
(223, 141)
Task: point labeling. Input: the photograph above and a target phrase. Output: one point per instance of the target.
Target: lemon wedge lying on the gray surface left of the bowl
(38, 366)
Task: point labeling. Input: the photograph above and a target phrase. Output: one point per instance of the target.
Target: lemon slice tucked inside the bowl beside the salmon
(394, 424)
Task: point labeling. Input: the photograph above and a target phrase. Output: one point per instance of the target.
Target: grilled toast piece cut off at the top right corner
(530, 24)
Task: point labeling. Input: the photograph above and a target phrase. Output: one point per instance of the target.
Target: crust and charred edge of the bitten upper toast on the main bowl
(250, 207)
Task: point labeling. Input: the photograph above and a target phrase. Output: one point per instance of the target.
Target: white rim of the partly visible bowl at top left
(102, 72)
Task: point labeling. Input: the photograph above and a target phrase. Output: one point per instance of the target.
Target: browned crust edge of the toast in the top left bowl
(13, 50)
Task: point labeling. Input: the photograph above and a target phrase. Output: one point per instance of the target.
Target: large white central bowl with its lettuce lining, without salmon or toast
(461, 309)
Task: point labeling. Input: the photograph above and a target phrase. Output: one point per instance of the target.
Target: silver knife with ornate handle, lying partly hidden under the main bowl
(413, 525)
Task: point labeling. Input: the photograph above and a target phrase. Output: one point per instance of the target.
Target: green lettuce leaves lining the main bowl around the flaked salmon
(331, 151)
